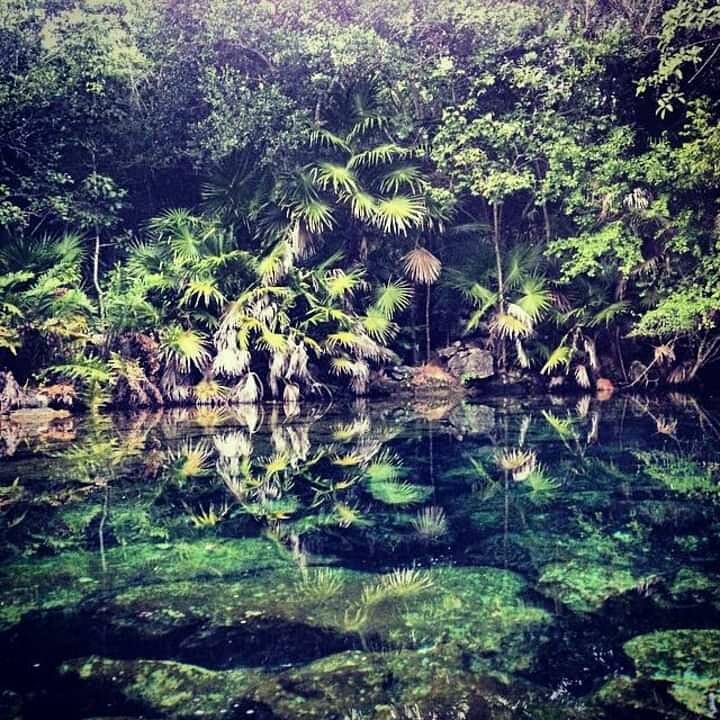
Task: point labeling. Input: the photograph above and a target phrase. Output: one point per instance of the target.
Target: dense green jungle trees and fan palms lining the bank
(216, 200)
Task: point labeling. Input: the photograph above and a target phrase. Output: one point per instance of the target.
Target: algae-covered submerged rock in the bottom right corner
(687, 659)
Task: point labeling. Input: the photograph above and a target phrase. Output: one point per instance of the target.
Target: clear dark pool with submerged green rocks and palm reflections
(532, 558)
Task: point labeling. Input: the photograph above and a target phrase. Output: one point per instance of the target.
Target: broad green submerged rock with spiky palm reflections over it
(479, 609)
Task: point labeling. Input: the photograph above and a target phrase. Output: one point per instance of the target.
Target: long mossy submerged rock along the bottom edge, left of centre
(349, 684)
